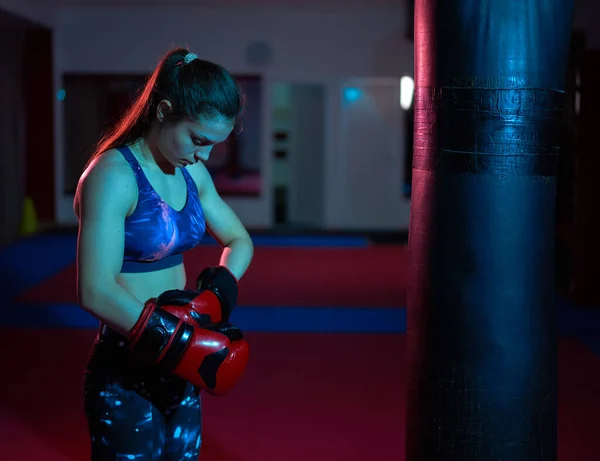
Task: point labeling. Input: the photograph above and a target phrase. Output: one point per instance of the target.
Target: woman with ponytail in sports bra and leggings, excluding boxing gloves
(144, 198)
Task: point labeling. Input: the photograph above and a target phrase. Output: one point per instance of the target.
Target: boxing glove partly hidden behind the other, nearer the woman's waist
(213, 302)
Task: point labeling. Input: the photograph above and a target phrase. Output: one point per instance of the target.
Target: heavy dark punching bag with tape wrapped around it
(481, 337)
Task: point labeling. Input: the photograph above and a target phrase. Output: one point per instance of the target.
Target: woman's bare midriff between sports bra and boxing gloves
(147, 285)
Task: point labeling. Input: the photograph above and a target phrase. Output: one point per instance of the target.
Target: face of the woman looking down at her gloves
(189, 141)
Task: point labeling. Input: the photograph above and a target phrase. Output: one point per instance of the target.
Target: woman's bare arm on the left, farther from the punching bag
(104, 196)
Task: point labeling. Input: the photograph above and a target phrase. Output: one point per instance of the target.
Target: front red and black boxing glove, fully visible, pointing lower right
(212, 358)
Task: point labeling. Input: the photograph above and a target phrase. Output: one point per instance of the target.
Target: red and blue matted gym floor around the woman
(315, 308)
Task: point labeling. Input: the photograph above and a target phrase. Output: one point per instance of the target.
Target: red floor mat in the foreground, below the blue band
(274, 415)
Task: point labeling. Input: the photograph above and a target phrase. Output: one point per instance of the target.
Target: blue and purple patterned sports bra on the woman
(156, 235)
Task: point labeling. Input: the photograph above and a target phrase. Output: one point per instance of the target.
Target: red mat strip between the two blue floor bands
(358, 277)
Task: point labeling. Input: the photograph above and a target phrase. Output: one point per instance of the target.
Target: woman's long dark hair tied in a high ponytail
(196, 88)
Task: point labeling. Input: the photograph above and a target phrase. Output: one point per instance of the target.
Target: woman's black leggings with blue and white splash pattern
(136, 412)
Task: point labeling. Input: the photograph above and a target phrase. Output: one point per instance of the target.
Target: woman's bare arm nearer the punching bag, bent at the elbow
(223, 224)
